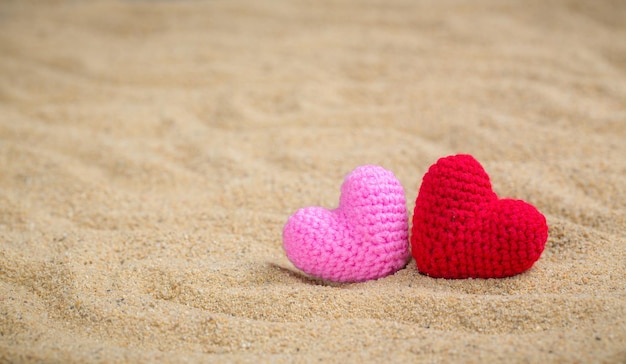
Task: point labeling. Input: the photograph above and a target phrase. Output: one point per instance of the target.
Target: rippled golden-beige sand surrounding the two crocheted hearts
(151, 152)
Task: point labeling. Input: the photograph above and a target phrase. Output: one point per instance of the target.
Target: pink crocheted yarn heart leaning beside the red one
(365, 238)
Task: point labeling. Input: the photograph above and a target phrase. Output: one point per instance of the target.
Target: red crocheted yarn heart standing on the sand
(462, 230)
